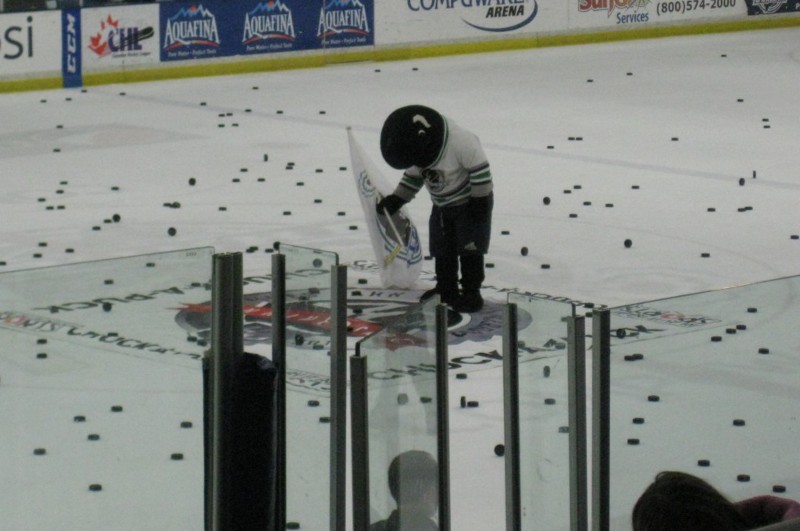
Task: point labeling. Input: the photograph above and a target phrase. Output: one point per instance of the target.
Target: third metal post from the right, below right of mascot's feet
(511, 417)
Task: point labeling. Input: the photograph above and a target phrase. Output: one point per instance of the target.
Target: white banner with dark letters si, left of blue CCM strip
(30, 43)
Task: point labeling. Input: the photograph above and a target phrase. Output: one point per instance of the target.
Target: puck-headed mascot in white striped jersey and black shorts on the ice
(449, 161)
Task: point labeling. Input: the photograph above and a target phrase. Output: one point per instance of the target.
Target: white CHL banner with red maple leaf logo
(118, 36)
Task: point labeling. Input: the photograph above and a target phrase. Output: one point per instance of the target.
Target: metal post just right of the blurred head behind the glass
(442, 419)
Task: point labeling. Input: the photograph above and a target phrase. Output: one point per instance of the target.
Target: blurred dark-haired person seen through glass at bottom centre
(414, 485)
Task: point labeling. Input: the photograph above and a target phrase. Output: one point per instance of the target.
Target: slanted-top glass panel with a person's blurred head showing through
(401, 392)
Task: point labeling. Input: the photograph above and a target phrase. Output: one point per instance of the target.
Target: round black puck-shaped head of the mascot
(412, 136)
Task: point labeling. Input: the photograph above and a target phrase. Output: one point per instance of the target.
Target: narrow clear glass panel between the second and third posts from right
(544, 412)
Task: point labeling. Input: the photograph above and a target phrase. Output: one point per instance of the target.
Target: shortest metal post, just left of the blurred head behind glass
(359, 427)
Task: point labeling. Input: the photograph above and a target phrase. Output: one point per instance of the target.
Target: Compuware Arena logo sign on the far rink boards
(493, 16)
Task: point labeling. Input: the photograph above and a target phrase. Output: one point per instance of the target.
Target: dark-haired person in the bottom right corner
(676, 500)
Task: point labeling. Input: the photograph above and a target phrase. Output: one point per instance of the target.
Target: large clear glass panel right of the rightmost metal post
(706, 384)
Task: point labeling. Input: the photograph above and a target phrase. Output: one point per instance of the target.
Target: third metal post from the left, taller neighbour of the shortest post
(338, 449)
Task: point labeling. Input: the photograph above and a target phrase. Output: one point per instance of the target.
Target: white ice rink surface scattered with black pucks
(71, 159)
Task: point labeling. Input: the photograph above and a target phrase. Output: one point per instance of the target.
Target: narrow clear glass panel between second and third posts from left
(308, 375)
